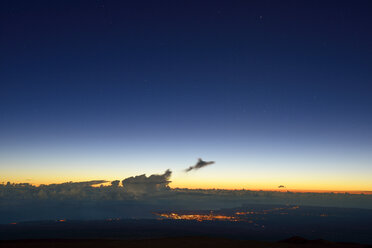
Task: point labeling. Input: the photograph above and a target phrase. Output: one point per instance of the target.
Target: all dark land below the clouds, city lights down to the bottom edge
(262, 223)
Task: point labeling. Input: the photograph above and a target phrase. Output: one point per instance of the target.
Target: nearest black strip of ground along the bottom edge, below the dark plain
(177, 242)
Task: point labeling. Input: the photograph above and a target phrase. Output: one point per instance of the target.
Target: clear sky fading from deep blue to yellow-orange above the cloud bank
(276, 92)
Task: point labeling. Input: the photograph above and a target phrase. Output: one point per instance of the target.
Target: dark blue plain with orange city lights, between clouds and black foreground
(250, 222)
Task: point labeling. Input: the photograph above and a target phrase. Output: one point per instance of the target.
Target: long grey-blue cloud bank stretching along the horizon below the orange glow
(138, 197)
